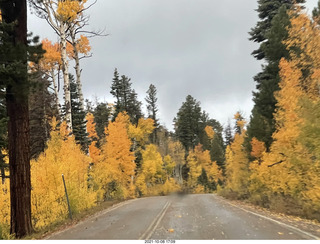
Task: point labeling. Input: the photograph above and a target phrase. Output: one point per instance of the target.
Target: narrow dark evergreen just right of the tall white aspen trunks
(78, 117)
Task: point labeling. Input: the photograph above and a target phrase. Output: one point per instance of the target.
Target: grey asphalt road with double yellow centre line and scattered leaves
(180, 217)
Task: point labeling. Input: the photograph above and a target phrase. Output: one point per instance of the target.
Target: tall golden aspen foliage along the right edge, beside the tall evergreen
(291, 169)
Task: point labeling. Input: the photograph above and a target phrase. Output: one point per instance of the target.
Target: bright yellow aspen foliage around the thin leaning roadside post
(62, 156)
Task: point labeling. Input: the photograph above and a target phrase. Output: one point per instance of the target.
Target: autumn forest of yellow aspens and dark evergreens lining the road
(116, 150)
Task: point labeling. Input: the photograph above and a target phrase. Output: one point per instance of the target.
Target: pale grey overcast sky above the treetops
(196, 47)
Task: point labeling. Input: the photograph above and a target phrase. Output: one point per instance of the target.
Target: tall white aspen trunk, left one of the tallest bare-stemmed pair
(65, 70)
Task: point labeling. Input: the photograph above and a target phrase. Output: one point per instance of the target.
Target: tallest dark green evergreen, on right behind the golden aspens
(270, 32)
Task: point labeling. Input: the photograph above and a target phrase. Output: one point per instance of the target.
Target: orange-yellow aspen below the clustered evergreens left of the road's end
(116, 169)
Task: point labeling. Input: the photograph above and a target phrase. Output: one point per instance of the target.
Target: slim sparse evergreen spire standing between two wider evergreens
(152, 107)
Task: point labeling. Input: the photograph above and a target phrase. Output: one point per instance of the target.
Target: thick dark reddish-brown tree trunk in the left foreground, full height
(18, 124)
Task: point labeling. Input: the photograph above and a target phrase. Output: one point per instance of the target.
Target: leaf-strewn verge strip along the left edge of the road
(76, 218)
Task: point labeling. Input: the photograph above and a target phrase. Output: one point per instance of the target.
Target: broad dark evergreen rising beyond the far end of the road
(187, 123)
